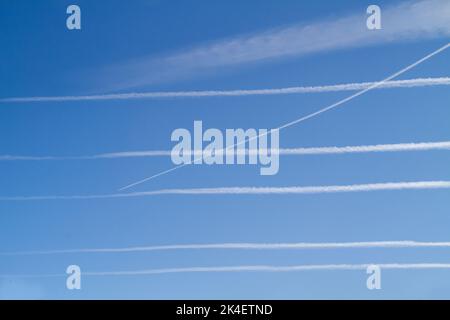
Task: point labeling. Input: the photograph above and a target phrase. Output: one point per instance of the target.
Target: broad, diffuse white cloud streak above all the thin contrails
(407, 21)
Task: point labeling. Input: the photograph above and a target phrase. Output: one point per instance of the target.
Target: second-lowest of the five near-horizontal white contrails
(245, 246)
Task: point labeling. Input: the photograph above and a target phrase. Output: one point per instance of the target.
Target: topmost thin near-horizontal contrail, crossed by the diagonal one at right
(411, 83)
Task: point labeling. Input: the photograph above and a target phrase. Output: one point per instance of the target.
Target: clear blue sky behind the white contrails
(42, 58)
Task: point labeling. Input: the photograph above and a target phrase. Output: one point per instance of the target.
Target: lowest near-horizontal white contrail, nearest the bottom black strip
(248, 268)
